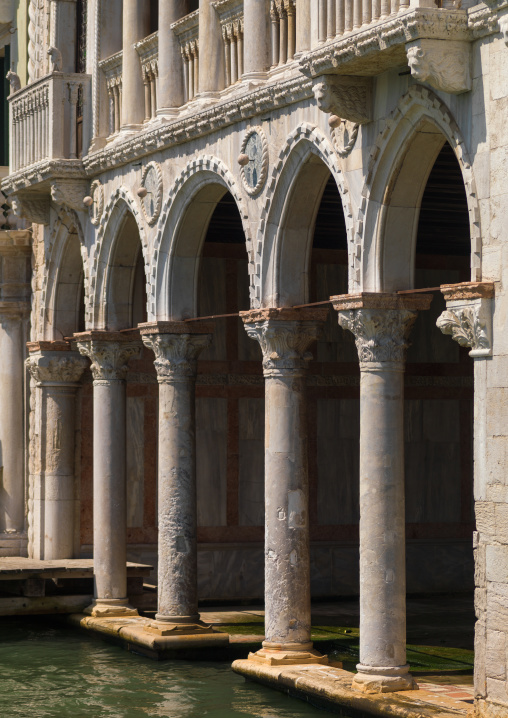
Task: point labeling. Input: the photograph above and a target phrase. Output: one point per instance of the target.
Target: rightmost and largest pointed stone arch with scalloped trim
(398, 169)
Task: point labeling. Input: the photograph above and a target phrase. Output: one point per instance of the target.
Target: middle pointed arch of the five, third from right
(181, 232)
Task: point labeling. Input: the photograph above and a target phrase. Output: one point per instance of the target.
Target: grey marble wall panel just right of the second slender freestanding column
(211, 460)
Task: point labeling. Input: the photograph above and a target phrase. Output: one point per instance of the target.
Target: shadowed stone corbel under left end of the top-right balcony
(349, 98)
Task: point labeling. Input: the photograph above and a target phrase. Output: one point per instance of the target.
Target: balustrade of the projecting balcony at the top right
(336, 17)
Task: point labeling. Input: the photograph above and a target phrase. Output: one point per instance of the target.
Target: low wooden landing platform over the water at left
(29, 586)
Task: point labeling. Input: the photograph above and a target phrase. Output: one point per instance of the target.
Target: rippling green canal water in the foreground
(49, 671)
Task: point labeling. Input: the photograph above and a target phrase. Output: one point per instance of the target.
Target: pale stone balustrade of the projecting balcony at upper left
(44, 119)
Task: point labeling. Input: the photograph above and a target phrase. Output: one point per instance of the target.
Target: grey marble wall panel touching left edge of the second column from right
(251, 448)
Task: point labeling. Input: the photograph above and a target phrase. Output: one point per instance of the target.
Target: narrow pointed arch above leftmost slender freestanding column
(106, 285)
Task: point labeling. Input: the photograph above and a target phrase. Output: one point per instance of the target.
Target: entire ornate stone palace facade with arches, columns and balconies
(244, 159)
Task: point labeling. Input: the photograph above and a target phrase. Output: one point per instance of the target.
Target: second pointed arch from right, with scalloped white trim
(287, 219)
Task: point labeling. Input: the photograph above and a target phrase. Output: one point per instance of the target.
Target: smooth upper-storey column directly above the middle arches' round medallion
(256, 45)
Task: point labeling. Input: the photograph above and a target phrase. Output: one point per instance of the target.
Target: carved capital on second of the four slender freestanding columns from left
(176, 355)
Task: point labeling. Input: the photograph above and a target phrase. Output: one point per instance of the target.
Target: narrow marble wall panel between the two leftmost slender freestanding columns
(135, 460)
